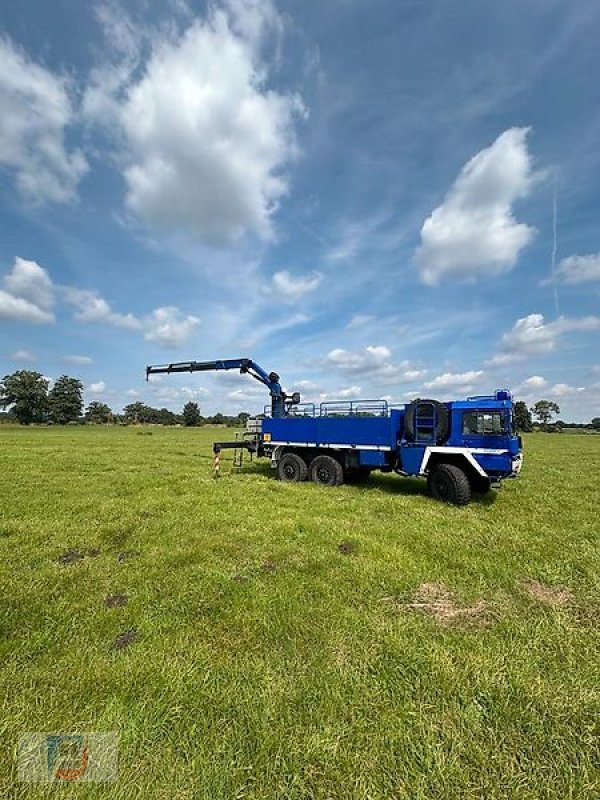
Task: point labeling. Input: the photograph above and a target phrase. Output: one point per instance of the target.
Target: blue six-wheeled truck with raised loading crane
(463, 447)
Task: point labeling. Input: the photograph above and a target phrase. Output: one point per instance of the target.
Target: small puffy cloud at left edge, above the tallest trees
(28, 294)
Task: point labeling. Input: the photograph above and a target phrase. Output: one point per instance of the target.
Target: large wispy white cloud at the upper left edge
(36, 109)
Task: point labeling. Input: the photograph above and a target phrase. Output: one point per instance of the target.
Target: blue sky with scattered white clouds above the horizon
(389, 198)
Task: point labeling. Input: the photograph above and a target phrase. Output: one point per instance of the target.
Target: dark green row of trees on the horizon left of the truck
(30, 400)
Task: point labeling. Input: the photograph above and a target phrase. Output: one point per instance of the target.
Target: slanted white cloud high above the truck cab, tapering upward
(474, 231)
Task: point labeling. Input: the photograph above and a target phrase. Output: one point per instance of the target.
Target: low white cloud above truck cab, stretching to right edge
(531, 335)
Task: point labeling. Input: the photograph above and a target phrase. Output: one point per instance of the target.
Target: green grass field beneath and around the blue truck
(293, 641)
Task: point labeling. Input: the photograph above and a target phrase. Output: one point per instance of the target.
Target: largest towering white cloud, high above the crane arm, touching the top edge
(207, 142)
